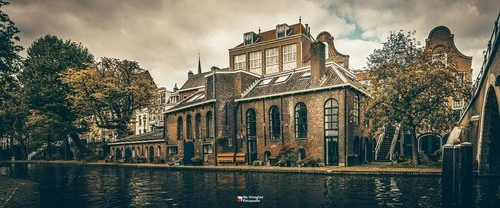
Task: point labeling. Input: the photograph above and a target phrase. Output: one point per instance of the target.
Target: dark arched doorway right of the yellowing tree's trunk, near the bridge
(430, 144)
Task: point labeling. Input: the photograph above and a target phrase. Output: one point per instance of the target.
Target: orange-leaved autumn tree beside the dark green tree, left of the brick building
(110, 92)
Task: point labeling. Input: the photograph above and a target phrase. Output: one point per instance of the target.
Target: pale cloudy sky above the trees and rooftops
(166, 36)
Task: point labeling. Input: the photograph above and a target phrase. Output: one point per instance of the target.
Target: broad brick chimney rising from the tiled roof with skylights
(317, 62)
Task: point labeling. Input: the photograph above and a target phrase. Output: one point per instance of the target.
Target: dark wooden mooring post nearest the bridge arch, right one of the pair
(466, 175)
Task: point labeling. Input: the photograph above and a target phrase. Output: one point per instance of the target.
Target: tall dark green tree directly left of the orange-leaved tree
(45, 94)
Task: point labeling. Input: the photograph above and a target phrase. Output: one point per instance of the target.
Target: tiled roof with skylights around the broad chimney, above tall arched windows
(299, 81)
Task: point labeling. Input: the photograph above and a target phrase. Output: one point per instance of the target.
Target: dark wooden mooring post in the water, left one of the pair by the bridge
(447, 195)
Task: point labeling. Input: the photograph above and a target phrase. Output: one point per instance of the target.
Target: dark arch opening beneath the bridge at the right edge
(491, 134)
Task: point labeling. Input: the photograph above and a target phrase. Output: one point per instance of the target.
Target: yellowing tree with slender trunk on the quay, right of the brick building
(411, 87)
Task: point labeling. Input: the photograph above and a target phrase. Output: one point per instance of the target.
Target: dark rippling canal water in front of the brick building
(84, 186)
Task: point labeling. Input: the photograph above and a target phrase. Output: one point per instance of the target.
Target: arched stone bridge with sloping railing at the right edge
(480, 120)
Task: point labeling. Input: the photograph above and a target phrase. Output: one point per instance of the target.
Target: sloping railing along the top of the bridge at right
(484, 68)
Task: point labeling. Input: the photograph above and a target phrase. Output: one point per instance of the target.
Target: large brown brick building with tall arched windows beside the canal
(282, 89)
